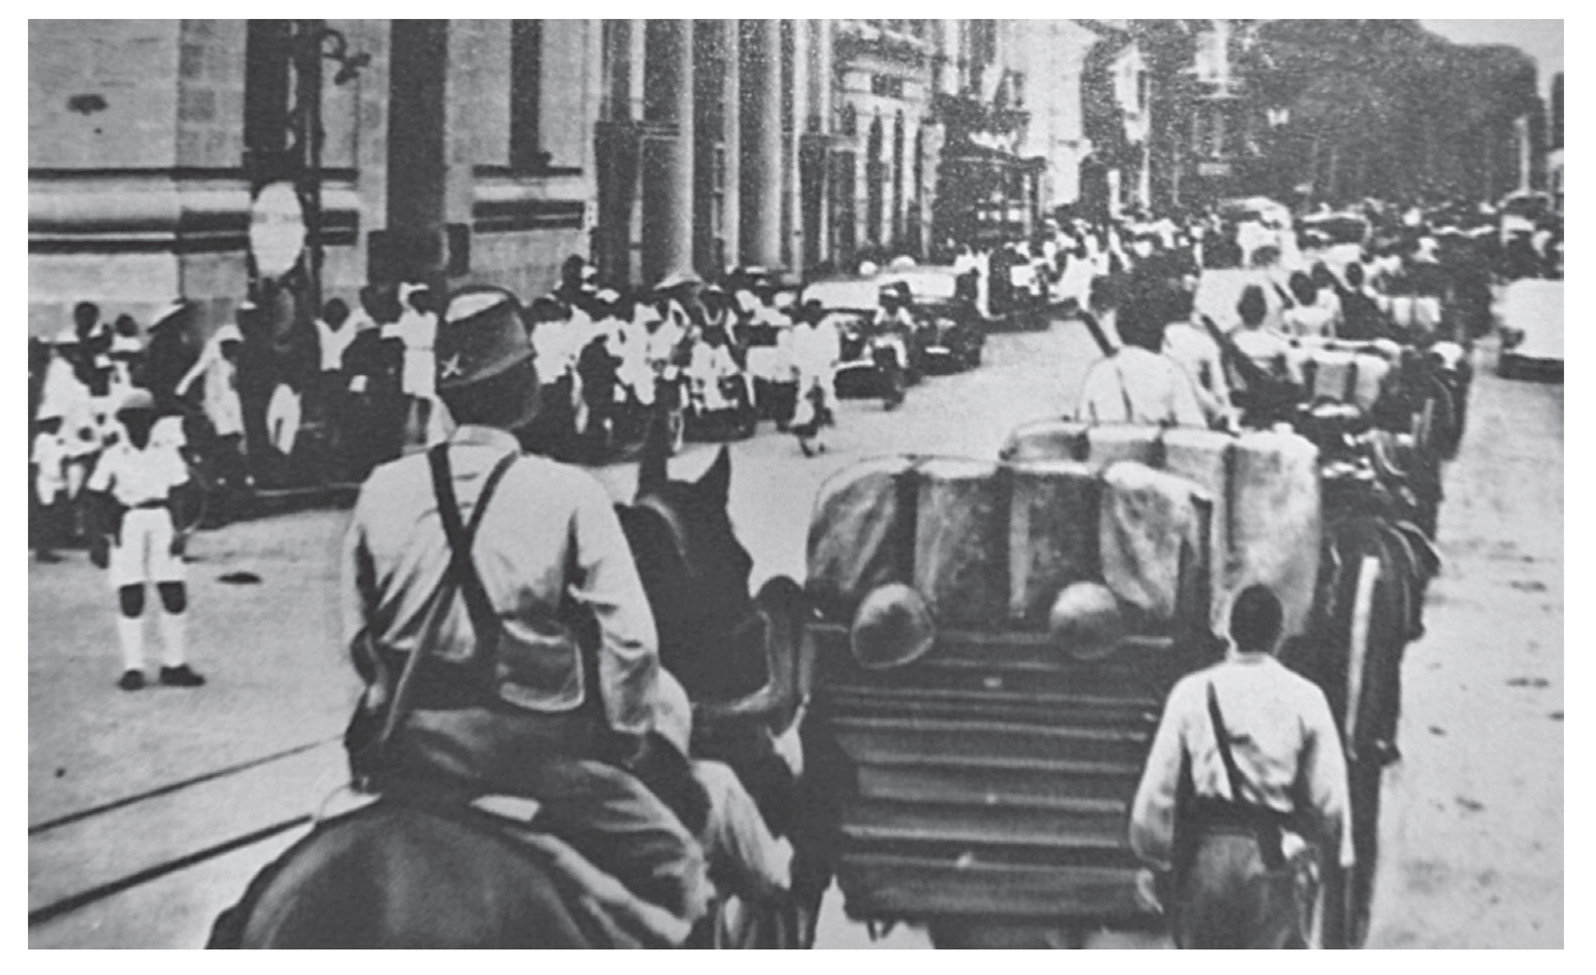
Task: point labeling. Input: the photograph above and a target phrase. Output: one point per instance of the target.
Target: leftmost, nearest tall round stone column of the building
(668, 156)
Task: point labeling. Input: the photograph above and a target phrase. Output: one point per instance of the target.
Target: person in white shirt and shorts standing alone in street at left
(133, 486)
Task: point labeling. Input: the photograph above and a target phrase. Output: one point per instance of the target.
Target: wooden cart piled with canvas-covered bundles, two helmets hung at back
(992, 775)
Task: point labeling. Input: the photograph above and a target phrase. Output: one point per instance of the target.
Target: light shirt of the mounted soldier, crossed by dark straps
(545, 519)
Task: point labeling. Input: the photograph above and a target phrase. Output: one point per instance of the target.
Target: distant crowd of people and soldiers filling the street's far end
(1415, 278)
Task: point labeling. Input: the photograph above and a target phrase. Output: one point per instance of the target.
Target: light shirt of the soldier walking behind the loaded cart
(1284, 741)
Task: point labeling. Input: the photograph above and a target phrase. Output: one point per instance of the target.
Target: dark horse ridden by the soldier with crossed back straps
(419, 872)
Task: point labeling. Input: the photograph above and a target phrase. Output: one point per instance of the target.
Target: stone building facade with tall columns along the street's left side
(489, 151)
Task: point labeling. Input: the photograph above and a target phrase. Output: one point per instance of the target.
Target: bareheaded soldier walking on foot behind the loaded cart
(1244, 786)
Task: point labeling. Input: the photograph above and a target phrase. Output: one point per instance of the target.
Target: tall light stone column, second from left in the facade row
(762, 143)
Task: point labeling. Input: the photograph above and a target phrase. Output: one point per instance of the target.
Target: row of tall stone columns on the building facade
(762, 189)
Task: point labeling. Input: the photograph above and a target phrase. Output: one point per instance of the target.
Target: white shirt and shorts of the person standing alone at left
(141, 481)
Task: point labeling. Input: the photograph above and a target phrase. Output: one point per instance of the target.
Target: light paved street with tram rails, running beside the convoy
(1474, 815)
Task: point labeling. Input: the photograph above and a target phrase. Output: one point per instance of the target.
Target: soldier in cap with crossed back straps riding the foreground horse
(497, 618)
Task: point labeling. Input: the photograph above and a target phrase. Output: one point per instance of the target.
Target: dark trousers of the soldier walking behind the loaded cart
(1228, 899)
